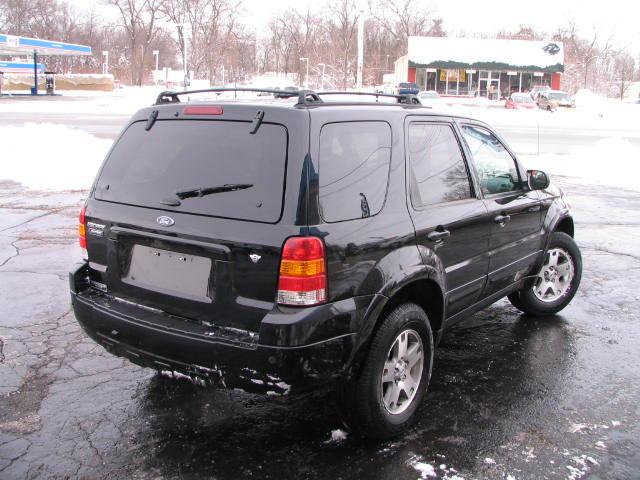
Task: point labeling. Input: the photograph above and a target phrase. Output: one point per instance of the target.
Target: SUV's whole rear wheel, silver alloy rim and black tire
(382, 400)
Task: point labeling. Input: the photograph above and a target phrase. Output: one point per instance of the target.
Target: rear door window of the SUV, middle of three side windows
(438, 171)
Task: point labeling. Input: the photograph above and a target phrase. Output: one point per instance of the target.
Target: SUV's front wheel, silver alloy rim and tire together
(557, 281)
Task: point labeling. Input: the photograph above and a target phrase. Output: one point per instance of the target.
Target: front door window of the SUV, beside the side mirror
(496, 167)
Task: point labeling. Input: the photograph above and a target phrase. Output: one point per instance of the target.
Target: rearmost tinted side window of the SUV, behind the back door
(354, 169)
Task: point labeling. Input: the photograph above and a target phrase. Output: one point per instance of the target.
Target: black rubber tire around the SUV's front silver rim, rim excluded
(526, 300)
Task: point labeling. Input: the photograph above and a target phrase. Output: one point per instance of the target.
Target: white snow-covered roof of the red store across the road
(486, 54)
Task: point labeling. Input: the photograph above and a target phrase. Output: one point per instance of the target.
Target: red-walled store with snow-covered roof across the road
(480, 67)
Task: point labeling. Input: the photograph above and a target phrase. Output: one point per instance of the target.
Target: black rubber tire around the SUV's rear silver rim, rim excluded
(361, 397)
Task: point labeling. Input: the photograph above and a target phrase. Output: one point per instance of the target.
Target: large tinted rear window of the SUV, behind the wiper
(148, 168)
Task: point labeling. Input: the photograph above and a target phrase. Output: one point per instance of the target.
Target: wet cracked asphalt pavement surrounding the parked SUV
(511, 396)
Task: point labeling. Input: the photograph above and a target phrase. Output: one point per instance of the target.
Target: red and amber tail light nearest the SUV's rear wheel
(303, 277)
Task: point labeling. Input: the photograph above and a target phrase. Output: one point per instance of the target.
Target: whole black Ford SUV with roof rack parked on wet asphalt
(285, 244)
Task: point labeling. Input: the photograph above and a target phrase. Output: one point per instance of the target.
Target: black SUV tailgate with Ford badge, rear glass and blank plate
(206, 257)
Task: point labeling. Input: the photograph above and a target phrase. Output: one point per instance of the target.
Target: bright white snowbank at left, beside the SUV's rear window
(51, 157)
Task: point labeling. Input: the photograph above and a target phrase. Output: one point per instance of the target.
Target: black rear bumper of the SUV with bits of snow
(227, 357)
